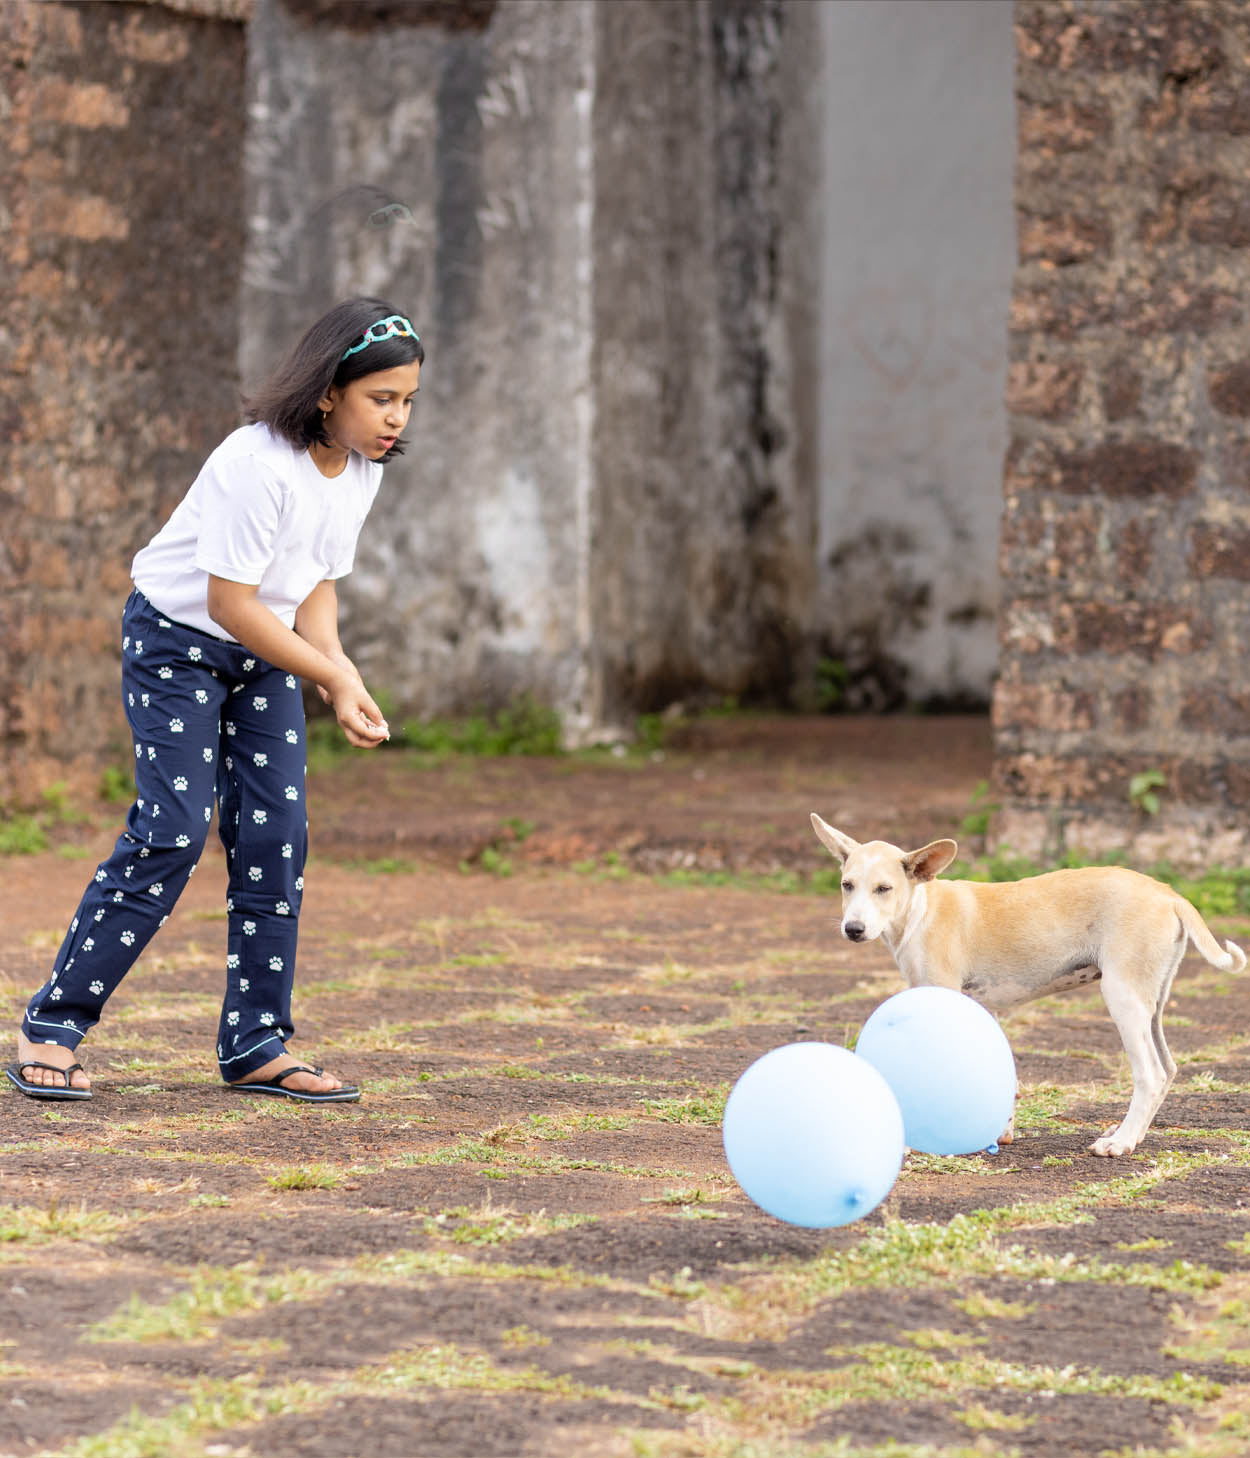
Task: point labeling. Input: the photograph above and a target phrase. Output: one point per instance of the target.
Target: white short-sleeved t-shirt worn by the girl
(259, 512)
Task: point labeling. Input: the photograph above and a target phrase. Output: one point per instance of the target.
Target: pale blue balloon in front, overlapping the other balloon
(815, 1135)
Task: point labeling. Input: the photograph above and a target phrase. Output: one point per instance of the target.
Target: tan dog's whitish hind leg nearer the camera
(1136, 1002)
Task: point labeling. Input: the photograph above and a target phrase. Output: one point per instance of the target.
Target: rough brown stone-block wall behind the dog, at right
(1125, 626)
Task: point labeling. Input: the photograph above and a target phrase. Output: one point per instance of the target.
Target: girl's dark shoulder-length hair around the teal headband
(287, 403)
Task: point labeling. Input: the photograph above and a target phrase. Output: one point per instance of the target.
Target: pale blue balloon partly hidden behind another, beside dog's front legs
(949, 1065)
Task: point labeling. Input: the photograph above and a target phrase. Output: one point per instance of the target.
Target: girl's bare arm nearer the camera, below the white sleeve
(234, 607)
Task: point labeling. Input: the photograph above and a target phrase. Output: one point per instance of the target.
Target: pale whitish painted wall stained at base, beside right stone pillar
(918, 247)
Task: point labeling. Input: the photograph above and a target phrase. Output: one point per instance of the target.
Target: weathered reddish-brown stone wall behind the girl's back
(120, 237)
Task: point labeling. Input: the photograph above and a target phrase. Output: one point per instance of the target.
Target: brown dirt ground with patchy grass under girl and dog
(546, 975)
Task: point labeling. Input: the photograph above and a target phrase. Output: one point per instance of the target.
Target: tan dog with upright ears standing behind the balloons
(1006, 944)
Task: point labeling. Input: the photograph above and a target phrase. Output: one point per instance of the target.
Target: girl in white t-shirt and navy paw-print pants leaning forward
(234, 603)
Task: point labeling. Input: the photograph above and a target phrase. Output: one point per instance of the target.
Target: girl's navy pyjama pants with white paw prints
(211, 722)
